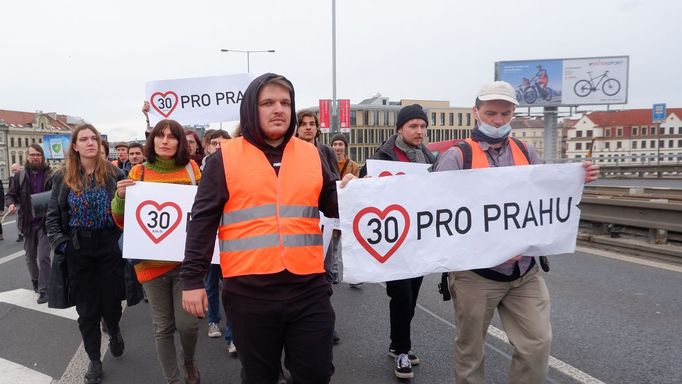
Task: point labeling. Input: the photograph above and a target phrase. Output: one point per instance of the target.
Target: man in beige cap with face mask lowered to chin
(514, 287)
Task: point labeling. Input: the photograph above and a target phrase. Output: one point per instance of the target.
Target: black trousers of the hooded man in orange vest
(303, 327)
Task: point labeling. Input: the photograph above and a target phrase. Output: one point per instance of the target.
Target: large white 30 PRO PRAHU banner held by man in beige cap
(402, 227)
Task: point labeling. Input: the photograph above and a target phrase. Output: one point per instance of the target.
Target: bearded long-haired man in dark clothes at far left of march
(35, 178)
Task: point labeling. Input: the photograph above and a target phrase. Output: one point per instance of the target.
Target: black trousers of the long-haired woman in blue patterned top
(97, 287)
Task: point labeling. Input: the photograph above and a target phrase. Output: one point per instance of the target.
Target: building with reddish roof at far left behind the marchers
(19, 129)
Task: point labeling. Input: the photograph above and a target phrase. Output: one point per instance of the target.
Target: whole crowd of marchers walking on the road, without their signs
(262, 192)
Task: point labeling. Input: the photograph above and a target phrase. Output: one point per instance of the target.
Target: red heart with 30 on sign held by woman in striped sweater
(158, 220)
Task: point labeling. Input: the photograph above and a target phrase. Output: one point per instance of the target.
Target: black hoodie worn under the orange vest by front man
(212, 195)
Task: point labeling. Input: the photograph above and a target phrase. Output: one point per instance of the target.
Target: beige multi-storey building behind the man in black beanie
(373, 121)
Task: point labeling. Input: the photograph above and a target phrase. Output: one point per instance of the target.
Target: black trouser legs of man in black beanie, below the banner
(403, 294)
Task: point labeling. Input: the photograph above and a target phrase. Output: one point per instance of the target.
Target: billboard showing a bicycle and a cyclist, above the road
(559, 82)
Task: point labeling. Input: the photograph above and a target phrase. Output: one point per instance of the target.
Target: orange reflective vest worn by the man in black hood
(270, 222)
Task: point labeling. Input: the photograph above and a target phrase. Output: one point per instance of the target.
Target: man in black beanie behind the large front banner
(406, 145)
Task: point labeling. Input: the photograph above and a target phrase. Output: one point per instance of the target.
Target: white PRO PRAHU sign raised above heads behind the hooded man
(198, 100)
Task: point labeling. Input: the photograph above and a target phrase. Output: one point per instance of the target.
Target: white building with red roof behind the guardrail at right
(627, 137)
